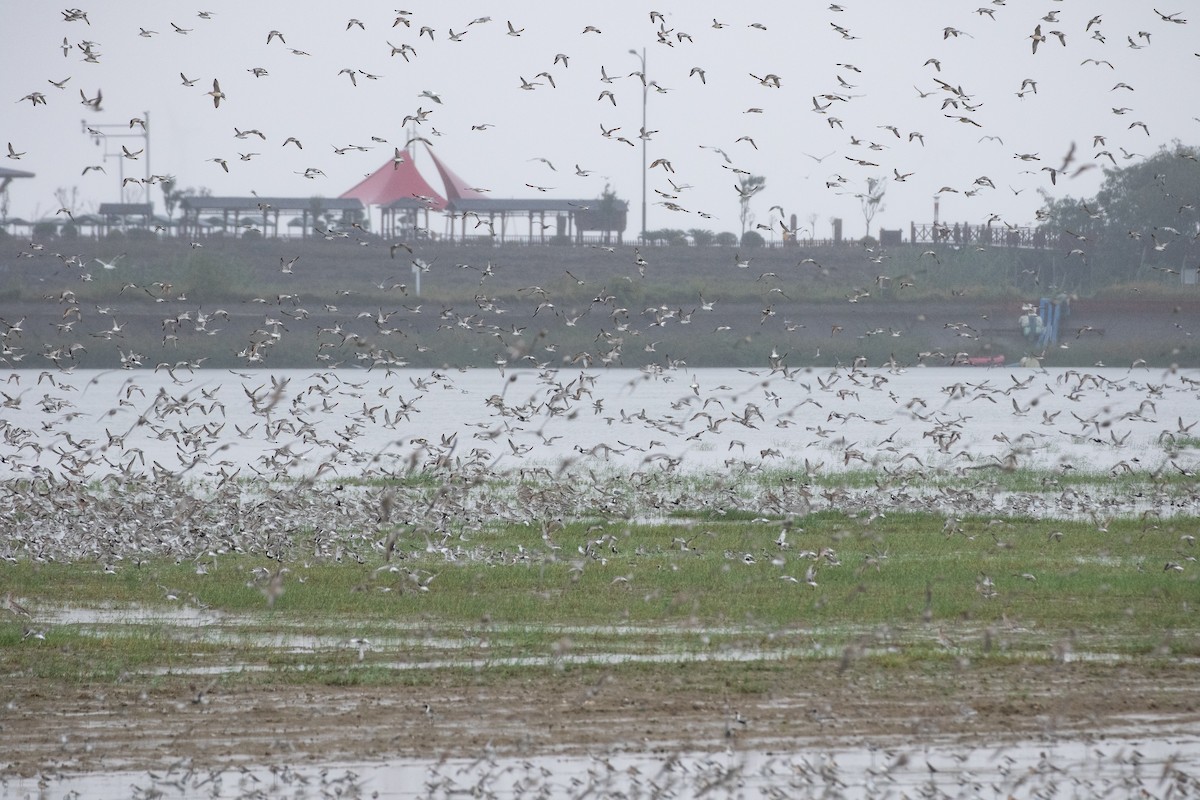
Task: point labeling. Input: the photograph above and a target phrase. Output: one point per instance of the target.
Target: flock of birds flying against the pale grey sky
(865, 149)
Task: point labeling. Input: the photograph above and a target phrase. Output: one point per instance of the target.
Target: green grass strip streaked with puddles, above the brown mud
(899, 590)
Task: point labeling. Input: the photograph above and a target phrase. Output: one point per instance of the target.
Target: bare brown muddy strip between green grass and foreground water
(146, 725)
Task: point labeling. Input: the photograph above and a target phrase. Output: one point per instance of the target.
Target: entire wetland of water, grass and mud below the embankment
(614, 593)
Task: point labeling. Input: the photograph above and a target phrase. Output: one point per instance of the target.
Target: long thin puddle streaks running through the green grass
(427, 646)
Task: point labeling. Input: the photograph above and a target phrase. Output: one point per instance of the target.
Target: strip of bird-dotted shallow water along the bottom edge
(1106, 763)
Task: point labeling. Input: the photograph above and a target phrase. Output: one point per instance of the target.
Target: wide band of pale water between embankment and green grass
(350, 424)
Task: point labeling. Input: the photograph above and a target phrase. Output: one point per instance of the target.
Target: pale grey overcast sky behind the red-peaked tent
(867, 64)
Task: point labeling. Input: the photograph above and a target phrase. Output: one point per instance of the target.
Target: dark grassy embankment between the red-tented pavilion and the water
(781, 300)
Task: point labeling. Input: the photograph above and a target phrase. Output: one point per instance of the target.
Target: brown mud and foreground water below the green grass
(808, 730)
